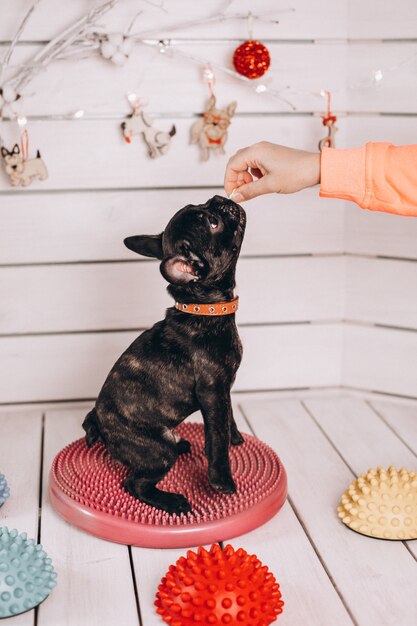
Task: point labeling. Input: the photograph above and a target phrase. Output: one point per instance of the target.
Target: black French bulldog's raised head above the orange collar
(199, 247)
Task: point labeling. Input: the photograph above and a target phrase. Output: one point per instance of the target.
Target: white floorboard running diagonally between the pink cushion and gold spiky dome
(363, 570)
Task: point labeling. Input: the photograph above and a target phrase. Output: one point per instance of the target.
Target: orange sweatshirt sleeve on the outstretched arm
(378, 176)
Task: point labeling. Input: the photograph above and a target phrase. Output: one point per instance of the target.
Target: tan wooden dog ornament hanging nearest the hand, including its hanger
(210, 131)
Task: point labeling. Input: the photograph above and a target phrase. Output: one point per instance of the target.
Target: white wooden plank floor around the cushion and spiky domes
(329, 575)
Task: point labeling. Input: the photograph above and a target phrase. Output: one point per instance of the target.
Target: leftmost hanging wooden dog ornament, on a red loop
(21, 170)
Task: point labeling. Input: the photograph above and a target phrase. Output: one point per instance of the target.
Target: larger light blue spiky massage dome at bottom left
(26, 573)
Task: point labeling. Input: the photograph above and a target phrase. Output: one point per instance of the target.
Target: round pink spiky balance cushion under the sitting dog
(86, 489)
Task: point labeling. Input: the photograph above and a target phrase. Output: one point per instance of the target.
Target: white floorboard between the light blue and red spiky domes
(95, 585)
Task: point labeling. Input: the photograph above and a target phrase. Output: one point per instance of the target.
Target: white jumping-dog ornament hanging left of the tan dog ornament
(139, 123)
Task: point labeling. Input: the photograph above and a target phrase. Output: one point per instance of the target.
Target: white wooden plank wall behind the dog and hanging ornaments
(320, 307)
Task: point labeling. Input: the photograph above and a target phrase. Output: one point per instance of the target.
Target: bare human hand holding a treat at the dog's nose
(266, 168)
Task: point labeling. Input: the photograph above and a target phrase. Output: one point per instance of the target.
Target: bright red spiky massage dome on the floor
(219, 587)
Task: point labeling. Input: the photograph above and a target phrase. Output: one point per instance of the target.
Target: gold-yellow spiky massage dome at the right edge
(382, 503)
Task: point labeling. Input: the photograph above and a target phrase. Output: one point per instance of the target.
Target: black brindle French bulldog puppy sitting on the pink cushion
(184, 363)
